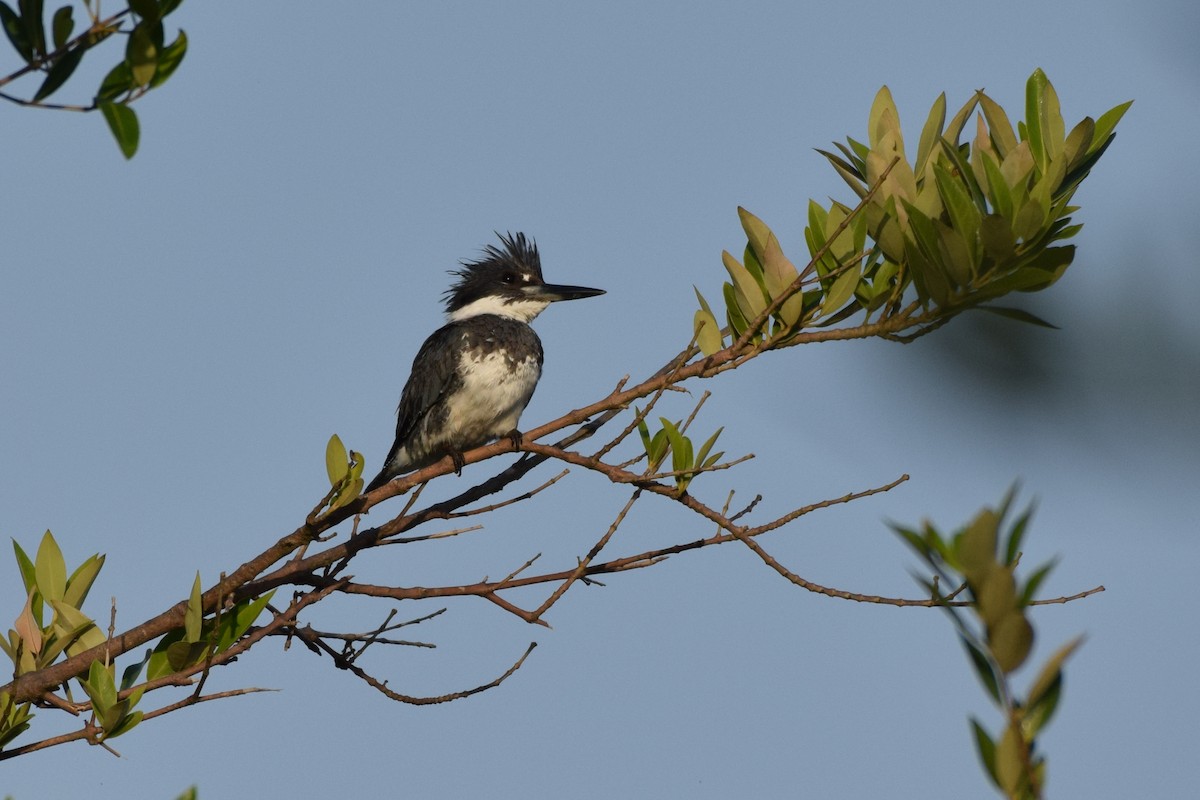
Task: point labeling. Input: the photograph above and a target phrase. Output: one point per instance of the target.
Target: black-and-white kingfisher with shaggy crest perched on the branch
(476, 375)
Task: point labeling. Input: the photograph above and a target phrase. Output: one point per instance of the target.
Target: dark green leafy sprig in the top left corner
(148, 62)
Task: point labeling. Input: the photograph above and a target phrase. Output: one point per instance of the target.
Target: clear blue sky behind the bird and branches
(183, 333)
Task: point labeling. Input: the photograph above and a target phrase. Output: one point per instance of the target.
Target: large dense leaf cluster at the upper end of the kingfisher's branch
(962, 226)
